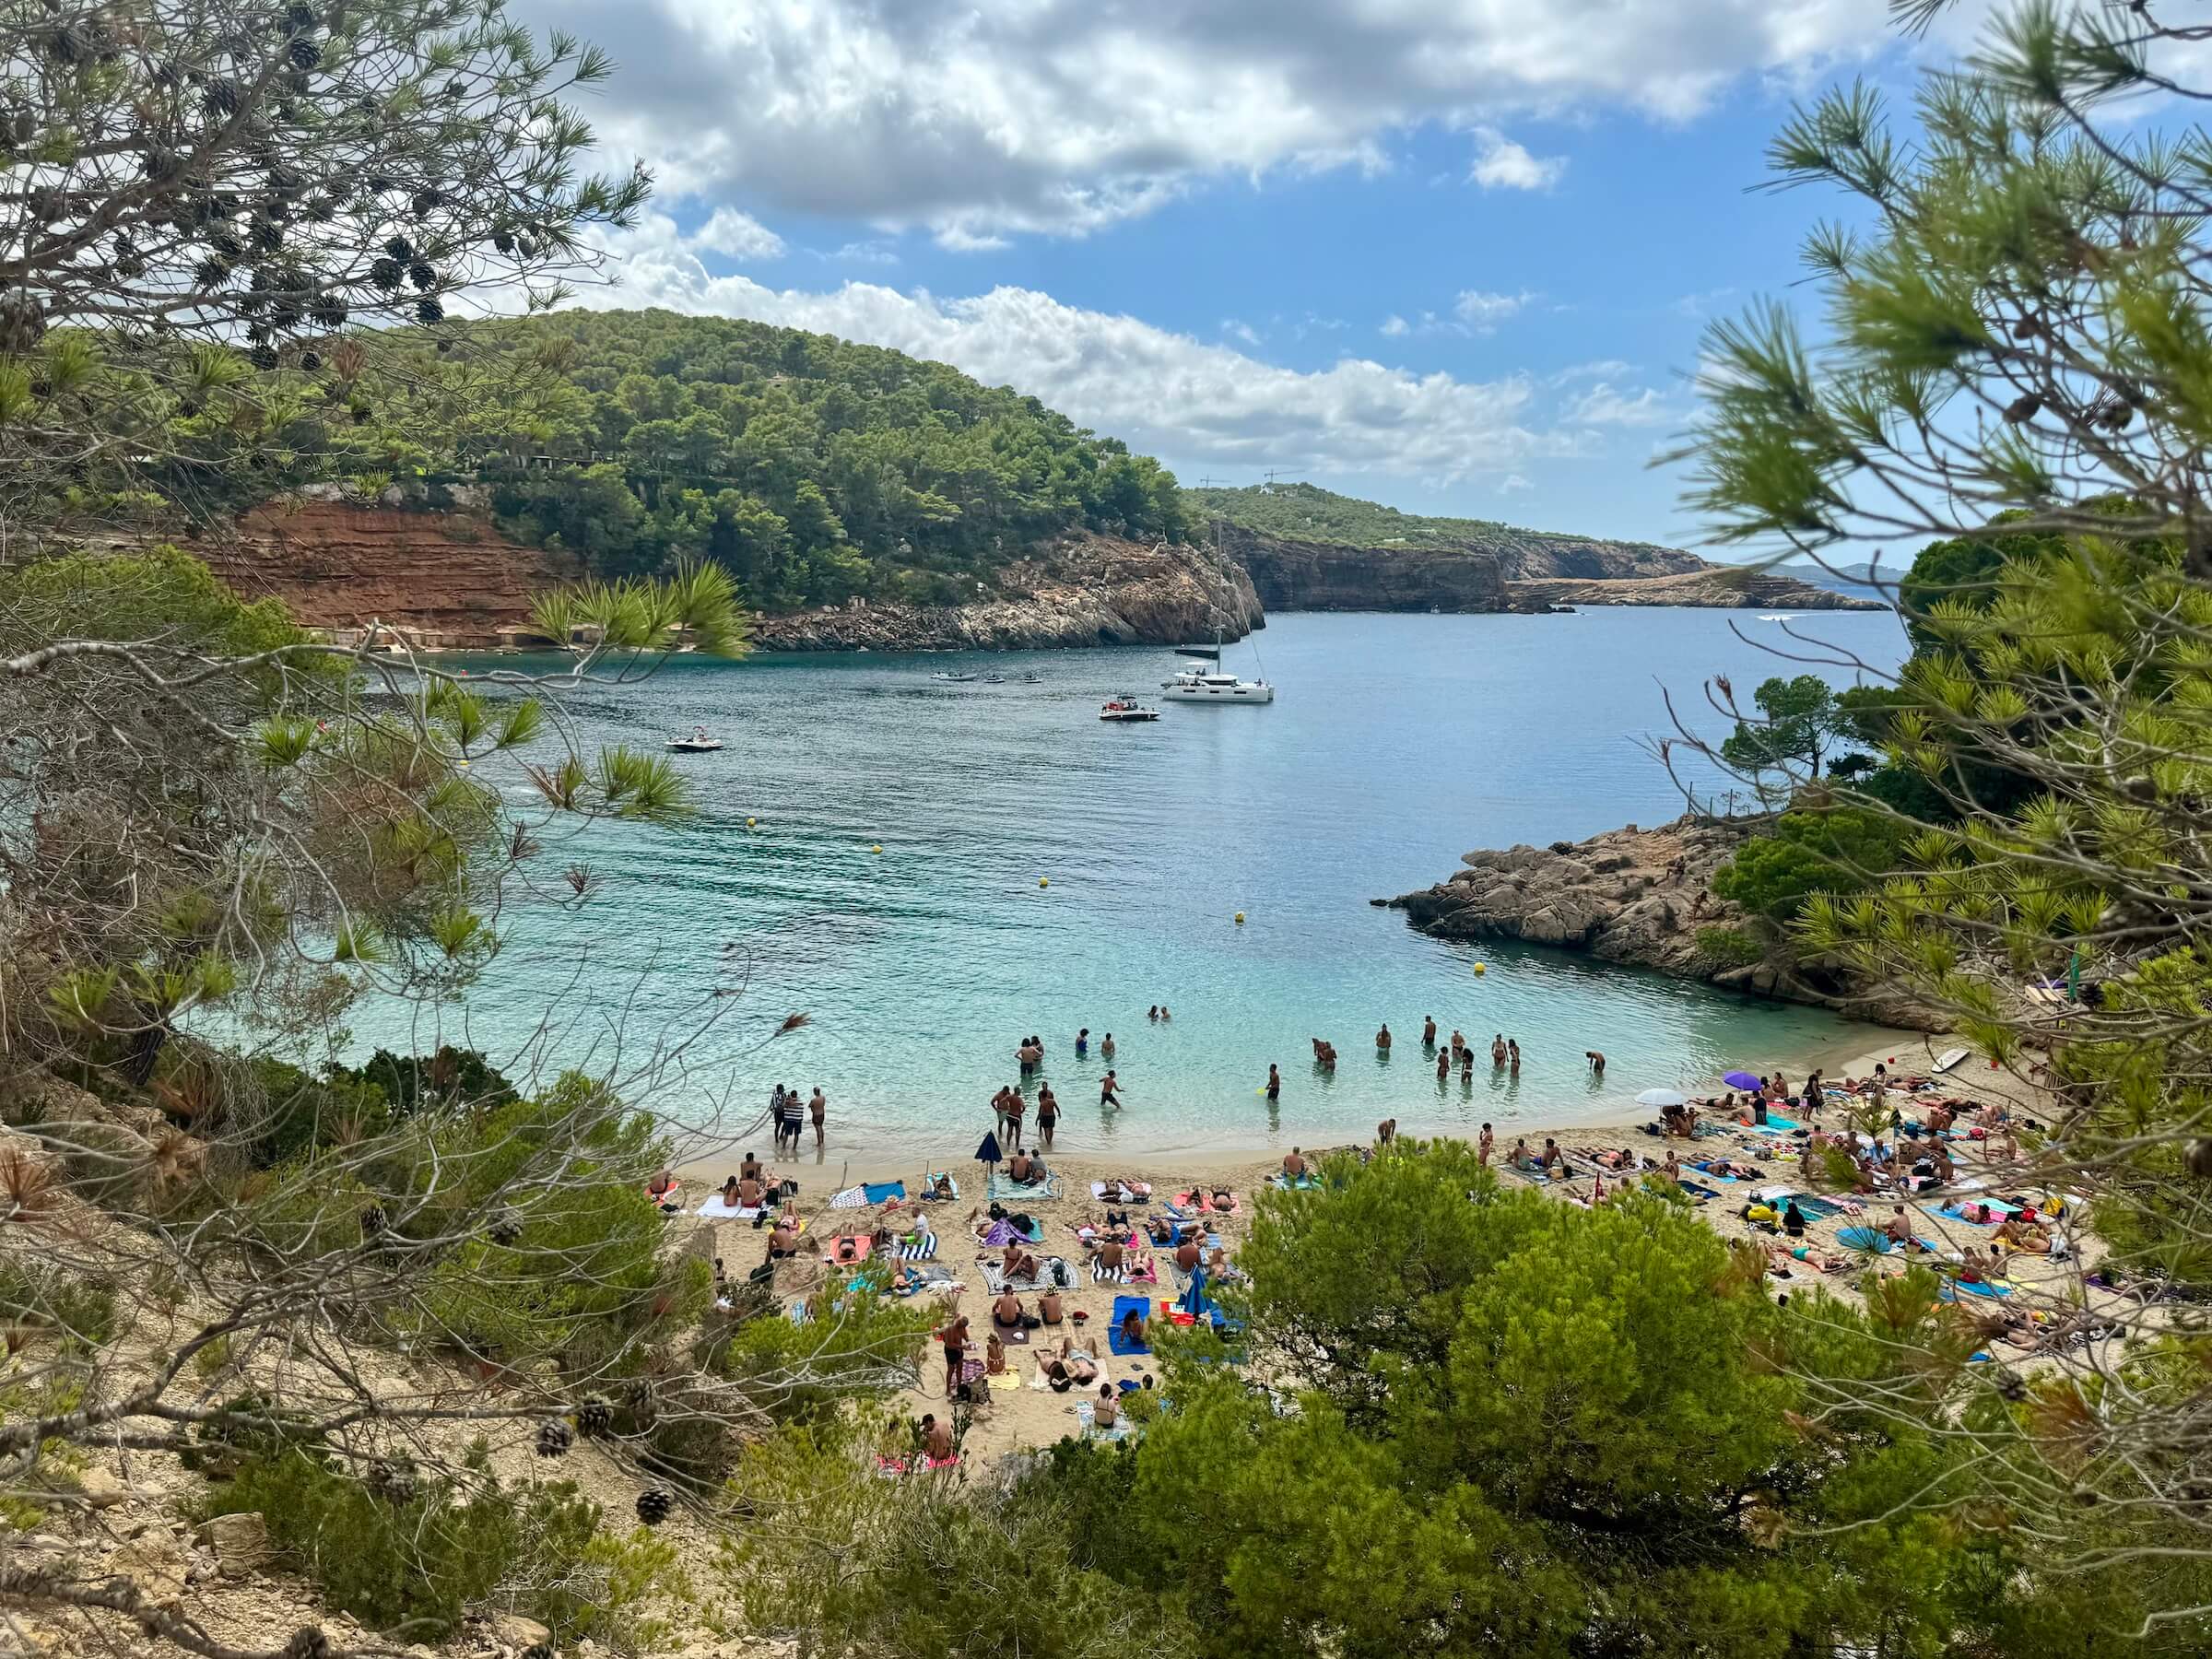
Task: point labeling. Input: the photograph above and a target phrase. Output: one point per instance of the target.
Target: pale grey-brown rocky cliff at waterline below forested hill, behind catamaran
(1083, 592)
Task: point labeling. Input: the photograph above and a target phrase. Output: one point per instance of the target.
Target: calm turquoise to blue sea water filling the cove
(1397, 744)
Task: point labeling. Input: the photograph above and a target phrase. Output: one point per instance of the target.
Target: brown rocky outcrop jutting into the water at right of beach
(1638, 897)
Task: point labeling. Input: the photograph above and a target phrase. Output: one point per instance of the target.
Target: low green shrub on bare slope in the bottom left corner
(415, 1567)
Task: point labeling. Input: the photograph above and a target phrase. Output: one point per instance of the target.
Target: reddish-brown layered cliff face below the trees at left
(444, 578)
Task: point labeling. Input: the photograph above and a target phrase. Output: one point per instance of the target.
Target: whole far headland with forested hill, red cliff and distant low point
(857, 494)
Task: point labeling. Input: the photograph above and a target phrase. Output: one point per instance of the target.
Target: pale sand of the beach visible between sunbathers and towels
(1023, 1412)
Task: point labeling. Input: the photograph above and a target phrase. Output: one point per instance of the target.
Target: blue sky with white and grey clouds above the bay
(1452, 255)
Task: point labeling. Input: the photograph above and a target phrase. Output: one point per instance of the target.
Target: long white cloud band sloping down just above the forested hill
(1189, 401)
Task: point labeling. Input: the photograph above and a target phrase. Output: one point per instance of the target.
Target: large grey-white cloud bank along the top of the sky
(1063, 116)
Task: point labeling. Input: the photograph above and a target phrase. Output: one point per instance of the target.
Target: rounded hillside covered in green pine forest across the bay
(806, 466)
